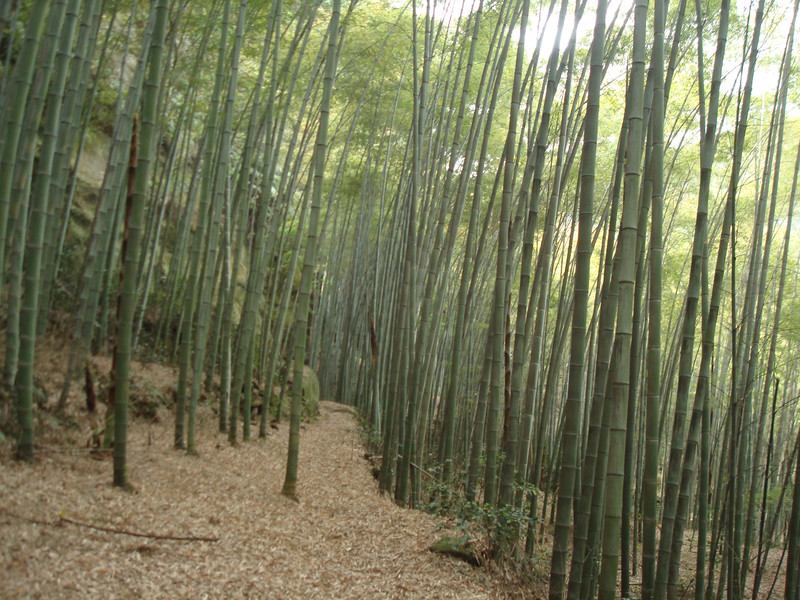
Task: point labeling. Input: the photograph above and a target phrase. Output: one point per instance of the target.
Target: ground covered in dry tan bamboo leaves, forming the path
(65, 532)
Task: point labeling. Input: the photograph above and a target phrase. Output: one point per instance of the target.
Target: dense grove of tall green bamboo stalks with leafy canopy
(546, 249)
